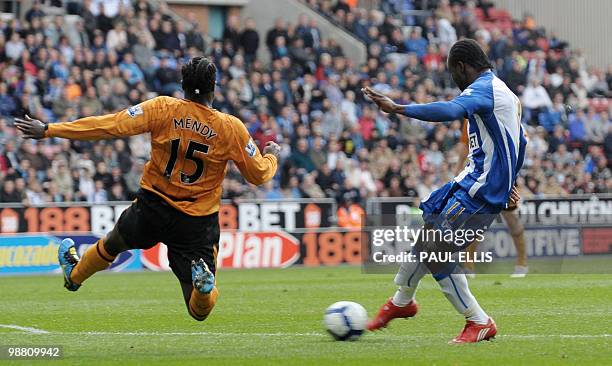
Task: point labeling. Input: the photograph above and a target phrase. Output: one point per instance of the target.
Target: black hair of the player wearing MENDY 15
(199, 76)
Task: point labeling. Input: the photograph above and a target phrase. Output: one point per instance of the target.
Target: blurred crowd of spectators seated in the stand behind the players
(335, 144)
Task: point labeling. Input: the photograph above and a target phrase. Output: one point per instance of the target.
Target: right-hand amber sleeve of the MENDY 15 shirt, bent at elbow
(255, 168)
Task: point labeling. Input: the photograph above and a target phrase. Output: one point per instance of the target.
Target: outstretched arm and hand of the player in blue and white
(434, 112)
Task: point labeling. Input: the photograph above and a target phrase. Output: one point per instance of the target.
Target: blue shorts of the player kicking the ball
(451, 208)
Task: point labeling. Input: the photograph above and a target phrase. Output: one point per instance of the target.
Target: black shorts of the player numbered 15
(150, 220)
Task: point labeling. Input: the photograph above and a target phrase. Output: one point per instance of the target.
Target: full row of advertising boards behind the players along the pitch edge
(258, 234)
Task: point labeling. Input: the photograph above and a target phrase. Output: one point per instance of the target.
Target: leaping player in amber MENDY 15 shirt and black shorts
(180, 193)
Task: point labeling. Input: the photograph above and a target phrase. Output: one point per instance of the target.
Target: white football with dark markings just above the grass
(345, 320)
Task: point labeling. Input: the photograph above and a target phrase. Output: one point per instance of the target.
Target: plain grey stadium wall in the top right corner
(585, 24)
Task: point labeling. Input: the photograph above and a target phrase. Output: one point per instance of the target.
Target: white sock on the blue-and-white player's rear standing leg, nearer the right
(455, 288)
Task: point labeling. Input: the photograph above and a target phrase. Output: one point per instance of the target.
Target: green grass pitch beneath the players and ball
(274, 317)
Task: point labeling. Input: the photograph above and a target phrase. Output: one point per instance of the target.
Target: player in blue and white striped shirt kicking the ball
(476, 196)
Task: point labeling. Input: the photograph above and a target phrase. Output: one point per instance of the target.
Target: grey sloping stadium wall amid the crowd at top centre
(266, 11)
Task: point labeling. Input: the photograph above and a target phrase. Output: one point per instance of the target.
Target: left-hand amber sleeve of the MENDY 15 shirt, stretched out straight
(134, 120)
